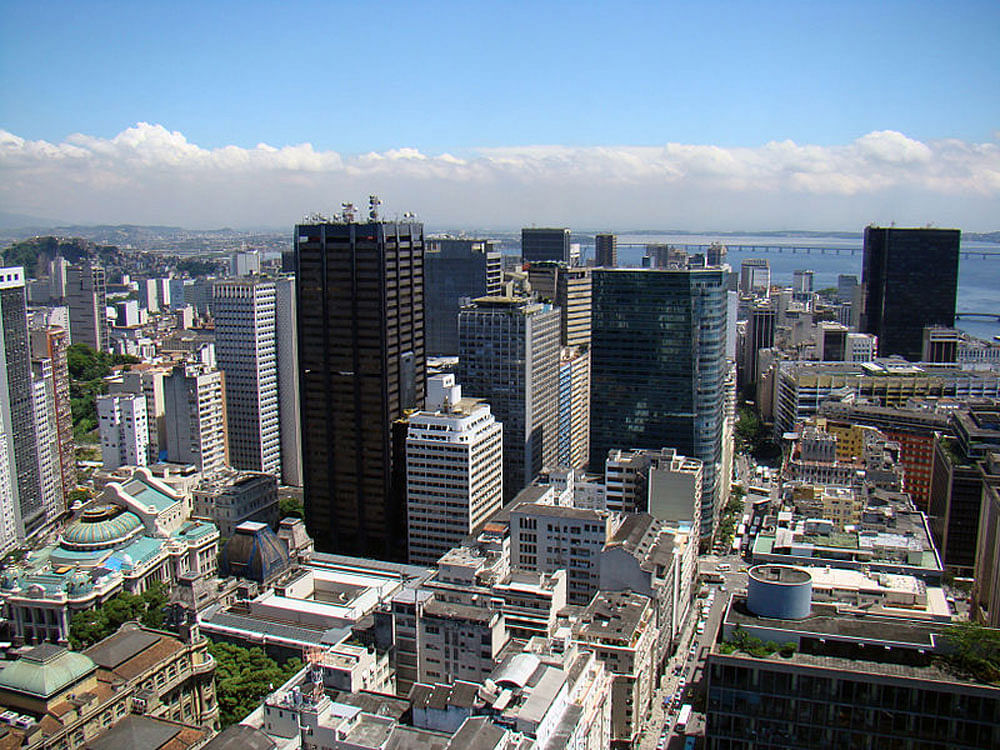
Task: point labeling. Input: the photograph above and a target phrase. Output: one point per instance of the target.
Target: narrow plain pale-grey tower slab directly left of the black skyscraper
(286, 334)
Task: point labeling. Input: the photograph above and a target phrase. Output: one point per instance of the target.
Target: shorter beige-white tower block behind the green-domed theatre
(194, 414)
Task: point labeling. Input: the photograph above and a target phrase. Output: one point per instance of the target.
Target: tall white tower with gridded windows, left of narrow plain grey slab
(246, 351)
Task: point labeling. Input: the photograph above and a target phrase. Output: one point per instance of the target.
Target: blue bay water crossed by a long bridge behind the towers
(978, 278)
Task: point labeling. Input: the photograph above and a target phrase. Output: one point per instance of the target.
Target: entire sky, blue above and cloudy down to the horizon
(709, 115)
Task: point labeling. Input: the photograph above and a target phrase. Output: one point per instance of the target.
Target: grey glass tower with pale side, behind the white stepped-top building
(509, 356)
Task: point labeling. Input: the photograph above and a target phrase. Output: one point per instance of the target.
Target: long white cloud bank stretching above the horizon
(149, 174)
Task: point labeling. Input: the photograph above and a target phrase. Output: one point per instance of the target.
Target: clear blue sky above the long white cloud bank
(463, 78)
